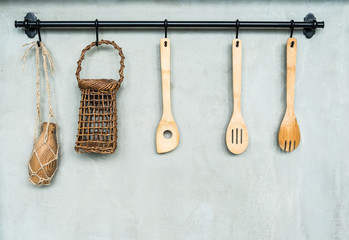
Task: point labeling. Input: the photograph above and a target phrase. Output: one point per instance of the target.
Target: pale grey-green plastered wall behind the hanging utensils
(199, 191)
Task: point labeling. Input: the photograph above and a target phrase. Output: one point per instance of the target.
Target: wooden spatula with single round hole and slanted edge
(167, 136)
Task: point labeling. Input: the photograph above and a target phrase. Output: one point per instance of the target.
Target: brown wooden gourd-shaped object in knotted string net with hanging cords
(44, 158)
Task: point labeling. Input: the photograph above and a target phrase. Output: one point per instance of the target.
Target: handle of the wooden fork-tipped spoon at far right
(291, 71)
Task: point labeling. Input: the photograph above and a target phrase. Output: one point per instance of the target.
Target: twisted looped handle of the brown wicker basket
(88, 47)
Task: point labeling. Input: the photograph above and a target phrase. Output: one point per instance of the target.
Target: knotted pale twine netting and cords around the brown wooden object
(44, 177)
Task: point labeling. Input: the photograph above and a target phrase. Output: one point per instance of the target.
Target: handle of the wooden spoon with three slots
(237, 57)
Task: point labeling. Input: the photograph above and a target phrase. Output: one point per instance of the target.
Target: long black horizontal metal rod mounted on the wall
(177, 24)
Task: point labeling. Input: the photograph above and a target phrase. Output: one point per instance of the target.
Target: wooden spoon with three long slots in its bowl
(237, 135)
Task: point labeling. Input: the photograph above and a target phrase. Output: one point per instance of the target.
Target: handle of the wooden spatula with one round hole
(165, 76)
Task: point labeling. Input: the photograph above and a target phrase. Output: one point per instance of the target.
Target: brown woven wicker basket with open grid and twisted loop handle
(97, 131)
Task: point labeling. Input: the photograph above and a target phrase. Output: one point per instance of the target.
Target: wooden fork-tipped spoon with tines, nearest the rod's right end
(289, 133)
